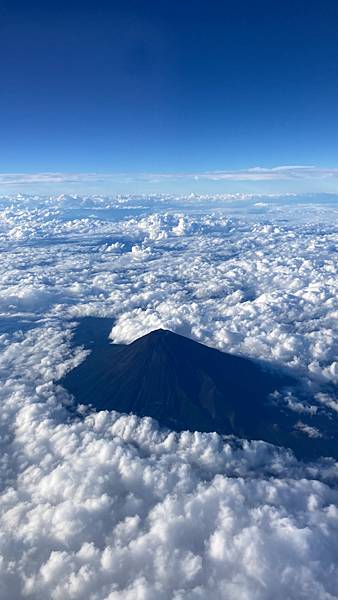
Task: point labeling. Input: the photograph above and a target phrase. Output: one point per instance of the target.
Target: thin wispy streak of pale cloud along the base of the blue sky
(279, 173)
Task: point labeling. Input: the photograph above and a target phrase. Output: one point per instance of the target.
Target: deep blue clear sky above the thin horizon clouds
(167, 86)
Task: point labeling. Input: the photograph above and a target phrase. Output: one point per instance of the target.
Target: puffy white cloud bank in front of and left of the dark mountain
(111, 507)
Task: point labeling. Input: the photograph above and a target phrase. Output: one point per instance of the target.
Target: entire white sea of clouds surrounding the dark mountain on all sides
(103, 506)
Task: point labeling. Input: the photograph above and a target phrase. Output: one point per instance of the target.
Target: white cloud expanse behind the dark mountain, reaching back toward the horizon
(258, 286)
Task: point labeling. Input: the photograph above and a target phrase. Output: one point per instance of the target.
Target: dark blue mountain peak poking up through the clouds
(186, 385)
